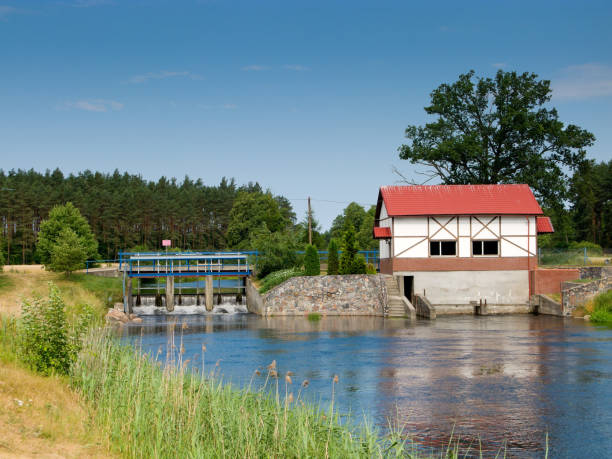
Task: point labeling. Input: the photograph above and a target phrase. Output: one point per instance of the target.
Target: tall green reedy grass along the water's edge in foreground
(154, 409)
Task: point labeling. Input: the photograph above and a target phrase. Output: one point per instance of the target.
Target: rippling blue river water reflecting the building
(506, 381)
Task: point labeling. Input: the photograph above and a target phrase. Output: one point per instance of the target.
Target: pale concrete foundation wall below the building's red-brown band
(459, 288)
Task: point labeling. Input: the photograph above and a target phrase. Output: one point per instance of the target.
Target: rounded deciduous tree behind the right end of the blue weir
(254, 212)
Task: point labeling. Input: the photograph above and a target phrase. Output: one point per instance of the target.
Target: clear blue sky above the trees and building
(308, 98)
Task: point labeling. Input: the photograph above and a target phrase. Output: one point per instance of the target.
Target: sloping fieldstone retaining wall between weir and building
(359, 294)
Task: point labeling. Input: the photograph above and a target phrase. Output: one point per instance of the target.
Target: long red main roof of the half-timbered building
(459, 200)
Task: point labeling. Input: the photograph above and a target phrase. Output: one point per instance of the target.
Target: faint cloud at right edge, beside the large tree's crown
(583, 82)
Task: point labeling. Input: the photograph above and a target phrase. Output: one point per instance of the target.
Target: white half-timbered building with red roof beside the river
(460, 244)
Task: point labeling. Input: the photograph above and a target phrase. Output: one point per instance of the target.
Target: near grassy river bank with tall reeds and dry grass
(120, 402)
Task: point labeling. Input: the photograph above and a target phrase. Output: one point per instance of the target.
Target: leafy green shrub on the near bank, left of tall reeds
(46, 341)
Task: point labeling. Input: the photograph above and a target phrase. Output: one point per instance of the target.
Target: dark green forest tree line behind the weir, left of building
(127, 212)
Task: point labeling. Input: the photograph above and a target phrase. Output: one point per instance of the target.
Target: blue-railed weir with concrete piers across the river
(193, 273)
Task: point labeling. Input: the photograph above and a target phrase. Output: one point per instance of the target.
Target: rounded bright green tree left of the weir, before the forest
(53, 230)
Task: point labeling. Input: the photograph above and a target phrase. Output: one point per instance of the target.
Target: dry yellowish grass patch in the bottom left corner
(41, 415)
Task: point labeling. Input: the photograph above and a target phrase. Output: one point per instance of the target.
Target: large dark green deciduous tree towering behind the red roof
(498, 130)
